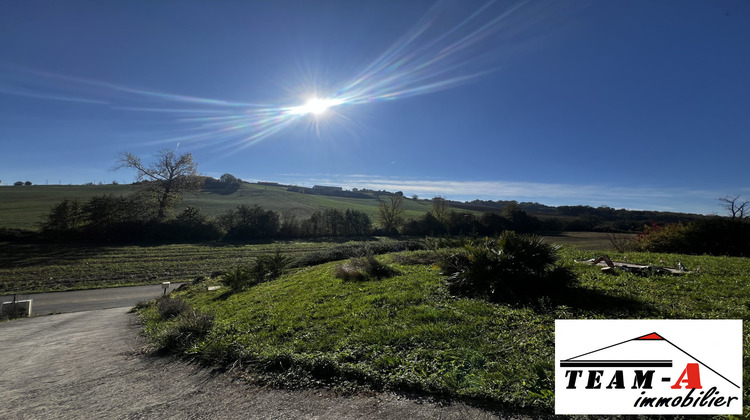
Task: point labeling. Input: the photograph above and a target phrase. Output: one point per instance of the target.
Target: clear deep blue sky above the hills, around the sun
(630, 104)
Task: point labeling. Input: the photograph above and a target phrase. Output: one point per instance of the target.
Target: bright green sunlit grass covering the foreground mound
(407, 333)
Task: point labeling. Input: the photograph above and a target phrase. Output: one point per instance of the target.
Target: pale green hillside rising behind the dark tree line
(25, 207)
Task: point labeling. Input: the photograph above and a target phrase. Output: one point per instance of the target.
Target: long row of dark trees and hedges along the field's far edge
(140, 217)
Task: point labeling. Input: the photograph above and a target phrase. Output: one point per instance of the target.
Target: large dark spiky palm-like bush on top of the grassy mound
(512, 266)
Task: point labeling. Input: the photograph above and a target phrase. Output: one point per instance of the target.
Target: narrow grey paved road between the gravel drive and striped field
(89, 300)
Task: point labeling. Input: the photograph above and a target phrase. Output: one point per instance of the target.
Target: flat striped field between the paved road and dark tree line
(28, 268)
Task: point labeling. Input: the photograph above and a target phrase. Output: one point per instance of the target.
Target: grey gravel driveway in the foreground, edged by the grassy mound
(87, 365)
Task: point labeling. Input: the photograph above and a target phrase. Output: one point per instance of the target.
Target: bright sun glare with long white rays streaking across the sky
(448, 47)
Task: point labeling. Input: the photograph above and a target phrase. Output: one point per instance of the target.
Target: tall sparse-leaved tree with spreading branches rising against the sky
(166, 178)
